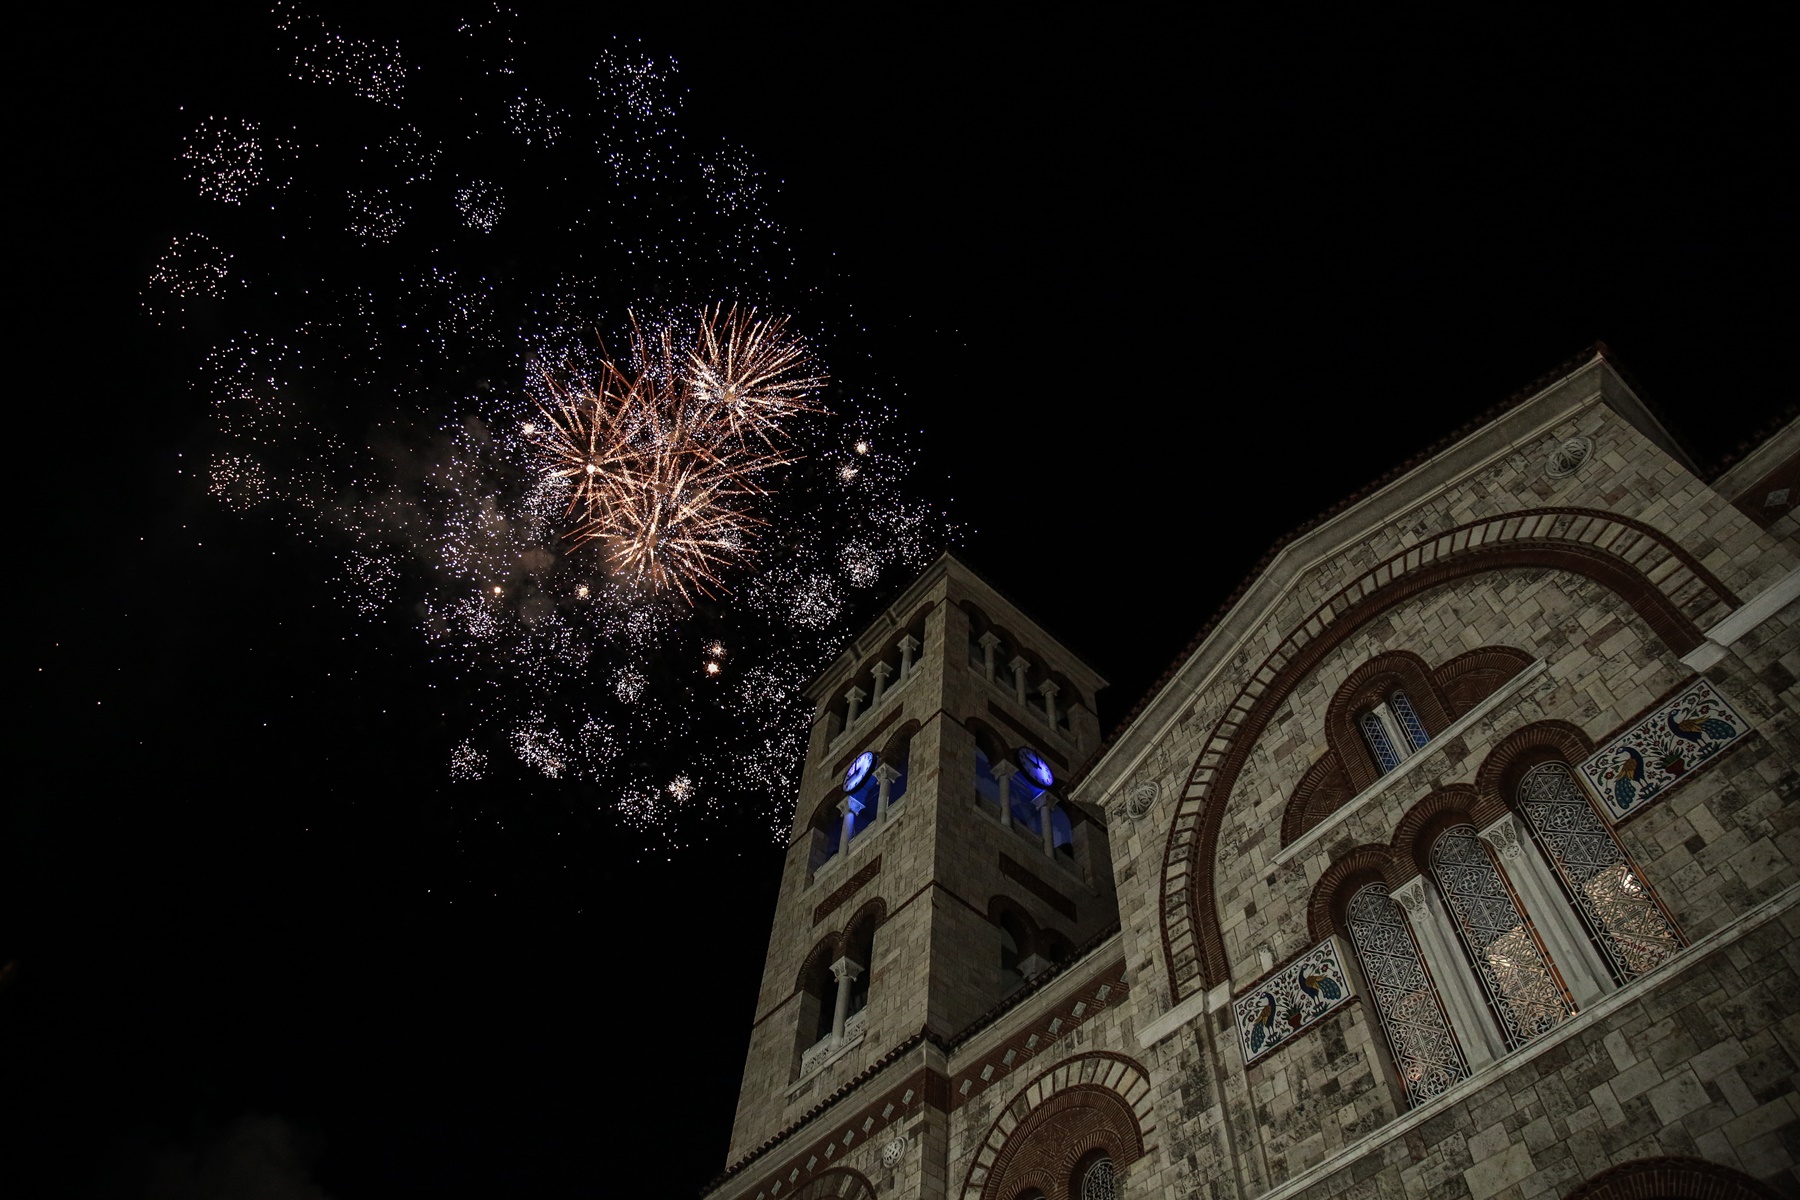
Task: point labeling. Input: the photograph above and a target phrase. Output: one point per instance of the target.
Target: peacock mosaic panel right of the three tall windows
(1668, 746)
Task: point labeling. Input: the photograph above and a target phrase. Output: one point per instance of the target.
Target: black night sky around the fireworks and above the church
(1144, 298)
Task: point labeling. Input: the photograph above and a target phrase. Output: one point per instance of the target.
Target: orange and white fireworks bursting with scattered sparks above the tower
(570, 539)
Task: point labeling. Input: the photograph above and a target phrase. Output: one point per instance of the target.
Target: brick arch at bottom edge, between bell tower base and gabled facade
(1088, 1102)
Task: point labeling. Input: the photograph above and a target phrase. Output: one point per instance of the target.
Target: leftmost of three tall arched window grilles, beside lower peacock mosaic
(1412, 1016)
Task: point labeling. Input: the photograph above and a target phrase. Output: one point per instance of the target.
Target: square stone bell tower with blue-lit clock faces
(935, 864)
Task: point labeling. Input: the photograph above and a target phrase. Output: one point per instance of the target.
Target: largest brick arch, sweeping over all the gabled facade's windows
(1639, 564)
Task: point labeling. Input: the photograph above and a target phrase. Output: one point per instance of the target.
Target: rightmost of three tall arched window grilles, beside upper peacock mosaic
(1610, 895)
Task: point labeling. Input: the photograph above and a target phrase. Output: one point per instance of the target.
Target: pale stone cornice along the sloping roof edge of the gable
(1592, 377)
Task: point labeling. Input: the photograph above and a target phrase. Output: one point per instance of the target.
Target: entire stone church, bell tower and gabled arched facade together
(1457, 857)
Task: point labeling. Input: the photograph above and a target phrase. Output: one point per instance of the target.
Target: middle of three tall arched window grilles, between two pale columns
(1516, 972)
